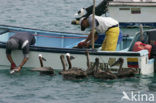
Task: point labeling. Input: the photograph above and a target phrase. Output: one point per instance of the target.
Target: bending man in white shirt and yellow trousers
(103, 26)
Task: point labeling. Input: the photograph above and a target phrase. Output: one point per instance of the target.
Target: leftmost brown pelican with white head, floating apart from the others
(42, 69)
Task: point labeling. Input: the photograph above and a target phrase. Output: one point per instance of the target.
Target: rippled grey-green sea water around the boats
(31, 87)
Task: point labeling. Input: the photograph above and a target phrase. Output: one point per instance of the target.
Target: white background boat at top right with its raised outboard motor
(129, 13)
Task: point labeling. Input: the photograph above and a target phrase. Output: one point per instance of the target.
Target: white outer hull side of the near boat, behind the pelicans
(145, 66)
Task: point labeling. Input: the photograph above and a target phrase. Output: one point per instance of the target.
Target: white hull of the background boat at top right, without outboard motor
(132, 13)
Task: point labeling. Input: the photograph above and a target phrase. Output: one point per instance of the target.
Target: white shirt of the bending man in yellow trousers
(104, 23)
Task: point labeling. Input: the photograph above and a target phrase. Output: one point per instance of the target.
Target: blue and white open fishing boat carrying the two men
(52, 44)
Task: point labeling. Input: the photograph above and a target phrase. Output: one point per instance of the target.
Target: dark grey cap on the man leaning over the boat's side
(12, 44)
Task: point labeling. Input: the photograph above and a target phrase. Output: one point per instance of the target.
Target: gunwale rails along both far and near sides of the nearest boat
(63, 50)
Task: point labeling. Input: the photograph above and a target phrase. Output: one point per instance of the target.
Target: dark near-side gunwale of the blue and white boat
(78, 51)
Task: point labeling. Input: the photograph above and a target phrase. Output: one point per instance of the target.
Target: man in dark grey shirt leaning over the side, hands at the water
(21, 40)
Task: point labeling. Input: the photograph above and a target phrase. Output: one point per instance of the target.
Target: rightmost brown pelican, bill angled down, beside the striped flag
(124, 72)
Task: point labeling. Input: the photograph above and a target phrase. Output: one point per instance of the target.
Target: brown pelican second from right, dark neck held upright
(98, 73)
